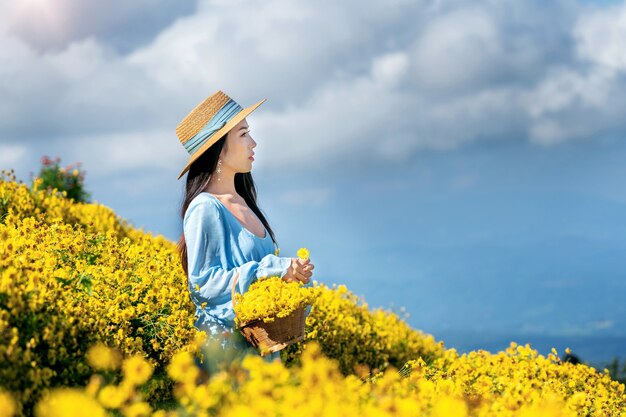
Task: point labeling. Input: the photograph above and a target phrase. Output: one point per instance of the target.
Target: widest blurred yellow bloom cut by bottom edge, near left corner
(68, 402)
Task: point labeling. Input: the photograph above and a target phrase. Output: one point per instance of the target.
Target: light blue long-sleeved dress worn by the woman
(219, 247)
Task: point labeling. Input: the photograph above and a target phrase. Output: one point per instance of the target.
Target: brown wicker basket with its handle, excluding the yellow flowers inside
(275, 335)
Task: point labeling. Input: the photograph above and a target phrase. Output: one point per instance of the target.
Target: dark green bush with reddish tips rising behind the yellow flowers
(69, 179)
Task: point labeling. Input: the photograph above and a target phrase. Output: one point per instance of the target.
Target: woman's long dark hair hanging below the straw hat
(198, 177)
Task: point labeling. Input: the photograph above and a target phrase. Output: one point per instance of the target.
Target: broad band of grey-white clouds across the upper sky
(344, 84)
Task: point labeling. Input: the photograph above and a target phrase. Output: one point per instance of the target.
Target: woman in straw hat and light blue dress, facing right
(224, 231)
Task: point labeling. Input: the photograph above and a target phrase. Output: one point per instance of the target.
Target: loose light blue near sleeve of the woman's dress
(209, 257)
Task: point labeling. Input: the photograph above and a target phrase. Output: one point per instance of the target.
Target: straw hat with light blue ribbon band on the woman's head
(208, 122)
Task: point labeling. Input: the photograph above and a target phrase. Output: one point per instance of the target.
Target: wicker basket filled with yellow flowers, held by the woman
(271, 314)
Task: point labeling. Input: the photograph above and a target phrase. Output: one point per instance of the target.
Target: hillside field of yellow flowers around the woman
(95, 319)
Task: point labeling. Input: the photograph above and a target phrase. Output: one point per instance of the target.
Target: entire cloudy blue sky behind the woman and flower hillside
(458, 161)
